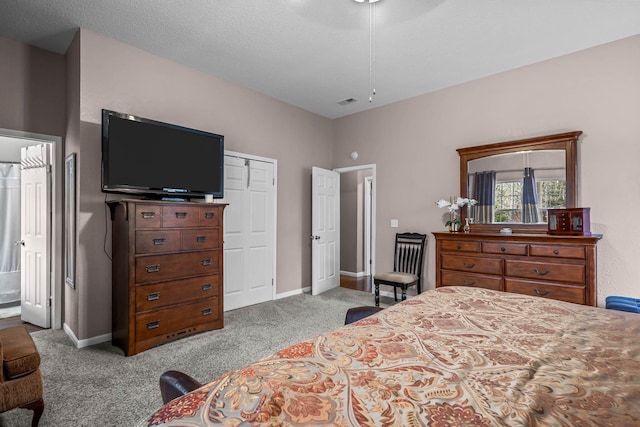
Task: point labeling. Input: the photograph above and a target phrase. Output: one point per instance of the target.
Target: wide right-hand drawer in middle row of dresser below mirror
(547, 271)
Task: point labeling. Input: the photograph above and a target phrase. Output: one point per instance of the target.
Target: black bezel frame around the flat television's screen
(164, 193)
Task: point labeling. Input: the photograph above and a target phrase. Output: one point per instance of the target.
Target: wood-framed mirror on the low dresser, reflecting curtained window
(515, 182)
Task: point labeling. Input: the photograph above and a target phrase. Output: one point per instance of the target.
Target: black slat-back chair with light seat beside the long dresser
(407, 265)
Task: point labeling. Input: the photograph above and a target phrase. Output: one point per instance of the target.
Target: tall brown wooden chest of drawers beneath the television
(166, 271)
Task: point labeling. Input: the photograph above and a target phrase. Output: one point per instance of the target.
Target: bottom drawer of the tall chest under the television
(175, 319)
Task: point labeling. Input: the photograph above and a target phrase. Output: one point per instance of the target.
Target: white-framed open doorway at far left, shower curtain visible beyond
(11, 143)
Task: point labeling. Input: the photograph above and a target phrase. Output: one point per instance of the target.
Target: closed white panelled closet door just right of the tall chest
(249, 232)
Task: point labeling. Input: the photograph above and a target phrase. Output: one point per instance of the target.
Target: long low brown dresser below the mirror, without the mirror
(557, 267)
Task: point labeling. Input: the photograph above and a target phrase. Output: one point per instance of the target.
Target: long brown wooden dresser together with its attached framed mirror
(508, 248)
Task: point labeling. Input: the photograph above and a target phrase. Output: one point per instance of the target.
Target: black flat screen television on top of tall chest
(160, 160)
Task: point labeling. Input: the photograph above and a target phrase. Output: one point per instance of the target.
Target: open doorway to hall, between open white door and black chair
(357, 227)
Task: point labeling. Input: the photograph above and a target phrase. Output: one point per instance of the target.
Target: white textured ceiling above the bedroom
(315, 53)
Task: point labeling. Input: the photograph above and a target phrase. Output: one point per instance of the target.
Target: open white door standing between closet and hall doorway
(325, 230)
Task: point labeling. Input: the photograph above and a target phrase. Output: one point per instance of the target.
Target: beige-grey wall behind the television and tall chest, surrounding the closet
(118, 77)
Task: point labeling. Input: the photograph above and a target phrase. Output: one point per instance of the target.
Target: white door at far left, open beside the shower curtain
(35, 201)
